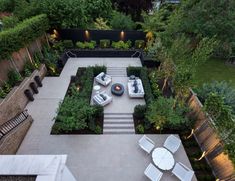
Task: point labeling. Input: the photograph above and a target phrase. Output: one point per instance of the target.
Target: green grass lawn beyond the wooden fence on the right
(215, 69)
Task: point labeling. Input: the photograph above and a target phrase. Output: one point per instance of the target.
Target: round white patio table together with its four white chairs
(163, 158)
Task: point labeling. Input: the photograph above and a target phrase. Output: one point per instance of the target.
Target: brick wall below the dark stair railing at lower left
(10, 143)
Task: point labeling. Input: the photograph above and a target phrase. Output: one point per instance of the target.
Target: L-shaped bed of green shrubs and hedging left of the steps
(75, 114)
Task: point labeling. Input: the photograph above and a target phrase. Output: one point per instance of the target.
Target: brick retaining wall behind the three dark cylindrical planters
(16, 100)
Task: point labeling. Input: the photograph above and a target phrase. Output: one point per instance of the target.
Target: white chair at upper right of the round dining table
(172, 143)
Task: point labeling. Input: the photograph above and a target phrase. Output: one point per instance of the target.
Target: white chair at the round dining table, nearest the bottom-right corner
(182, 172)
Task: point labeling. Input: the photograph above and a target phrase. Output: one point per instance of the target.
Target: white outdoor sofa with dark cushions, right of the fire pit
(135, 91)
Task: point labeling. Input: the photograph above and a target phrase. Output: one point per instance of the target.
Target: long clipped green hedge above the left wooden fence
(13, 39)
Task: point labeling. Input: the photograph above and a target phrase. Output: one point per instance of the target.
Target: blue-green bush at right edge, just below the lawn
(222, 88)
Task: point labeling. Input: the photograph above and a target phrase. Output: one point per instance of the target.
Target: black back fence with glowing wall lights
(97, 35)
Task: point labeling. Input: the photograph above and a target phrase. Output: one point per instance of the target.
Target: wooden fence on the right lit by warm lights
(208, 139)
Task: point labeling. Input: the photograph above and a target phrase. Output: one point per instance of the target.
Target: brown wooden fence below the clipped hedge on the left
(19, 58)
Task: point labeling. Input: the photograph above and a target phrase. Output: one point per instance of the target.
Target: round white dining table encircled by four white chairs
(162, 158)
